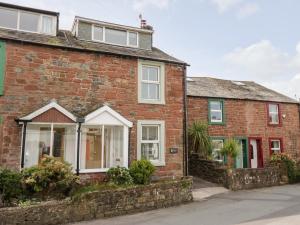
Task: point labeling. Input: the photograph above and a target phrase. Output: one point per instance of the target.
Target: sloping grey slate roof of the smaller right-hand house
(247, 90)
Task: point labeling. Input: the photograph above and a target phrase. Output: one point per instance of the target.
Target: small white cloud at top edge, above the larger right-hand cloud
(240, 7)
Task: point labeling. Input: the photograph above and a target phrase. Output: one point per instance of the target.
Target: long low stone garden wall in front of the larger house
(100, 204)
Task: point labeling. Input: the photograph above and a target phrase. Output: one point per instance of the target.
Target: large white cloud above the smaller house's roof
(264, 63)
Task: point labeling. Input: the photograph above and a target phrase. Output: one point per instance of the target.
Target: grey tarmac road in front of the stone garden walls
(267, 206)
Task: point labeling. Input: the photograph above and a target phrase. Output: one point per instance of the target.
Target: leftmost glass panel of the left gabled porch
(38, 140)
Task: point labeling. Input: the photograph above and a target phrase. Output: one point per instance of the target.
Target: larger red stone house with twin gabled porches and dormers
(97, 96)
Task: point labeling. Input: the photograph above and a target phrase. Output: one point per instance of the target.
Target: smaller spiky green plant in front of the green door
(230, 151)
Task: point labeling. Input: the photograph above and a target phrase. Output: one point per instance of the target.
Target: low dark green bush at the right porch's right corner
(119, 176)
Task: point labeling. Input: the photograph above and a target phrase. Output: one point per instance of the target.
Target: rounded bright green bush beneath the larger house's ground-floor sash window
(141, 171)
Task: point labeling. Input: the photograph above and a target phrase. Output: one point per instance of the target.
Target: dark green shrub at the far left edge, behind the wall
(10, 185)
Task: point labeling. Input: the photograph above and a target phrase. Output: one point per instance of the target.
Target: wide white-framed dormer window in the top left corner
(27, 21)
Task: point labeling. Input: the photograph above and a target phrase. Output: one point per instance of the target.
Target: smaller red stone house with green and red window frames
(262, 120)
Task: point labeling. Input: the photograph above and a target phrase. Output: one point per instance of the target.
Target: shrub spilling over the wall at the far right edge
(289, 163)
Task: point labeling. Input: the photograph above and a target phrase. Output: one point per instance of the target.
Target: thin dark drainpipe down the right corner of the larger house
(185, 127)
